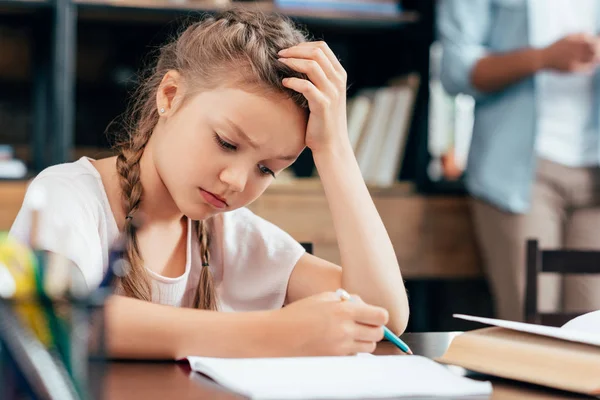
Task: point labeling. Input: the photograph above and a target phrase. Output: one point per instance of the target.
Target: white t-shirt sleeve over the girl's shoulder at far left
(73, 217)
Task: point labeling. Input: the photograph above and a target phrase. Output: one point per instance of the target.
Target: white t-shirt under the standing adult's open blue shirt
(567, 130)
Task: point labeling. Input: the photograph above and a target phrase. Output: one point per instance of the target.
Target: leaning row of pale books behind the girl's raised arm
(379, 122)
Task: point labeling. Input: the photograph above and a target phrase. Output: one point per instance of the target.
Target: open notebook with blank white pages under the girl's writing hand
(337, 377)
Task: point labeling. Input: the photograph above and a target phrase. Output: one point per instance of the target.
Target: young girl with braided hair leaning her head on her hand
(230, 104)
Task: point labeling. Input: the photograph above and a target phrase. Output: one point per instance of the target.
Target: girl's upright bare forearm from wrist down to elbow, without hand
(370, 266)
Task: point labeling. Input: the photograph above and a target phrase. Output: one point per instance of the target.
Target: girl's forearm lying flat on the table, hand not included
(143, 330)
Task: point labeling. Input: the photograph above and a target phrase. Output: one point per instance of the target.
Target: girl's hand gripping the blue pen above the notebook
(323, 325)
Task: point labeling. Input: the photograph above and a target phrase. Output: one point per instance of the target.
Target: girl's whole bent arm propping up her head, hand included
(369, 264)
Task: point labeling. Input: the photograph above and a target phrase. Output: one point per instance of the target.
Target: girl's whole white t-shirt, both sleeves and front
(251, 259)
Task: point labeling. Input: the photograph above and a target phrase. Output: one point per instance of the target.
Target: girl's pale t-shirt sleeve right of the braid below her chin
(258, 258)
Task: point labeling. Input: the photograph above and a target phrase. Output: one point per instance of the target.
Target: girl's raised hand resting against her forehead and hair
(325, 91)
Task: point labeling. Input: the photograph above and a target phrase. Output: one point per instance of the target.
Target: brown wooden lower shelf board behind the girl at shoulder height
(433, 236)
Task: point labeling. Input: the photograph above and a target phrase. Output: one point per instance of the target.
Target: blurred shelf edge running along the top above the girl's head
(140, 10)
